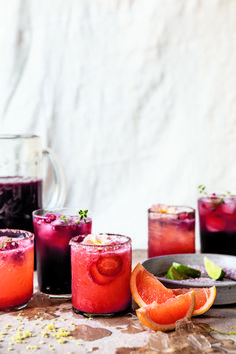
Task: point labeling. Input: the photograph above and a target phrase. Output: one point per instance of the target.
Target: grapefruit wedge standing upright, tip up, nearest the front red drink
(146, 288)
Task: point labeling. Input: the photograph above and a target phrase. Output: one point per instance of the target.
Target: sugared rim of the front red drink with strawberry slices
(74, 243)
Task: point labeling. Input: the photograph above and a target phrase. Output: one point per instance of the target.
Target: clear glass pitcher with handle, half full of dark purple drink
(22, 188)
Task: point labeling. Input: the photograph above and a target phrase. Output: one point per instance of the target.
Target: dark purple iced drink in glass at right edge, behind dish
(217, 218)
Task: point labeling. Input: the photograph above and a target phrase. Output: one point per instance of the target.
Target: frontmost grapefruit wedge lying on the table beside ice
(162, 317)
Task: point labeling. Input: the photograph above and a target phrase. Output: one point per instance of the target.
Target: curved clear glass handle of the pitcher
(59, 193)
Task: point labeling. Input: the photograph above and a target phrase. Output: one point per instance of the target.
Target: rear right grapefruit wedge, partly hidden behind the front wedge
(204, 298)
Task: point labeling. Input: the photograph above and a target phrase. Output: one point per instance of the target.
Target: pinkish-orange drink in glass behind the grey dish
(171, 230)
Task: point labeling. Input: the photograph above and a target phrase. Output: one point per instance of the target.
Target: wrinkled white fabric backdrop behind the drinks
(137, 98)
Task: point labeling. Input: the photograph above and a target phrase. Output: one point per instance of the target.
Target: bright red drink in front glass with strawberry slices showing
(101, 276)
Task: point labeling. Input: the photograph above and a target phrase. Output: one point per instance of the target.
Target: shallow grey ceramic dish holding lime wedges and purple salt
(225, 290)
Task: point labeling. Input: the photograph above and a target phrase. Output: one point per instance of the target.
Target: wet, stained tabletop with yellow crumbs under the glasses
(50, 326)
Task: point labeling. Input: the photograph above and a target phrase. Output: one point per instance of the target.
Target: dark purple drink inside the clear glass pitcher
(19, 197)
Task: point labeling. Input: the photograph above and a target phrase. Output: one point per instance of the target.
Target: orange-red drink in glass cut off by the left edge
(16, 270)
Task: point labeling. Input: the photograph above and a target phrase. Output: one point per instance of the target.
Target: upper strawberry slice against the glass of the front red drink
(109, 265)
